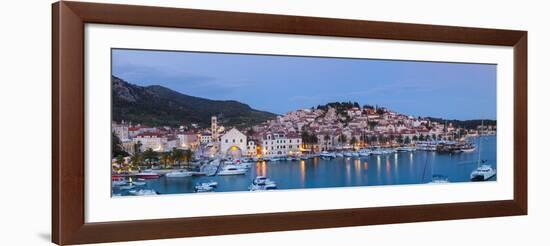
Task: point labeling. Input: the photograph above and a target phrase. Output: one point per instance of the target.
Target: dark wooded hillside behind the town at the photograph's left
(159, 106)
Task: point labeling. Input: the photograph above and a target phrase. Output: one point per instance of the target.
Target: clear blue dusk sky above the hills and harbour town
(279, 84)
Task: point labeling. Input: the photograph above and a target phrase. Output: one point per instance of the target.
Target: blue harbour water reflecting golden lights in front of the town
(399, 168)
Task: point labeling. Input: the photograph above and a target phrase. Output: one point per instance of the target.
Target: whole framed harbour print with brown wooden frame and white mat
(177, 122)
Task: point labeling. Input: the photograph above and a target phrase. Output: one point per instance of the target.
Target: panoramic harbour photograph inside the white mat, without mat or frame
(185, 122)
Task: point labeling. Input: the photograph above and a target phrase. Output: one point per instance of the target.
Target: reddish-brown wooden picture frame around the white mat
(68, 223)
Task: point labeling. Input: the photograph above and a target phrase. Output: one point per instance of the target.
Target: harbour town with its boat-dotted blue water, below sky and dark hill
(339, 144)
